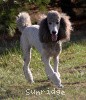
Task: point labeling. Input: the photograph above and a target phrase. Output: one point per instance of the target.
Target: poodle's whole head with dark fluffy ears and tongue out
(55, 27)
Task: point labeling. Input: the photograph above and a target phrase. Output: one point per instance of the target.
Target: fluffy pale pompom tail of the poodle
(23, 20)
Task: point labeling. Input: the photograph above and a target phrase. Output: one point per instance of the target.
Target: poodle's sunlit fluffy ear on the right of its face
(65, 28)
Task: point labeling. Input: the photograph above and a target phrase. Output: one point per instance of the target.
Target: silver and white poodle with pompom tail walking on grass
(47, 38)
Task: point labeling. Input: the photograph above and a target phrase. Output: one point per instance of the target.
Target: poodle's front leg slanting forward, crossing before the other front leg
(53, 76)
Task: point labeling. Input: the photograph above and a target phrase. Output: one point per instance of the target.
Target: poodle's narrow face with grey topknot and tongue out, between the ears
(53, 20)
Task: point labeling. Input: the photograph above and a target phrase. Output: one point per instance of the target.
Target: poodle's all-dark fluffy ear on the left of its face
(44, 33)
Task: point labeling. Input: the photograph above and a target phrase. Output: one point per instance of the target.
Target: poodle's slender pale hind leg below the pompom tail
(26, 48)
